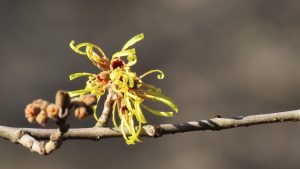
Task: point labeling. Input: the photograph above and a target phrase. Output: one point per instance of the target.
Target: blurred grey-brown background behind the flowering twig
(232, 57)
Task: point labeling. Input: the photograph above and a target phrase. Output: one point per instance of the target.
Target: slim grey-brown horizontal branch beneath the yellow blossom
(18, 135)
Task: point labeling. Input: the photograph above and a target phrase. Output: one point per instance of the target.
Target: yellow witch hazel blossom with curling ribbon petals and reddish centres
(129, 88)
